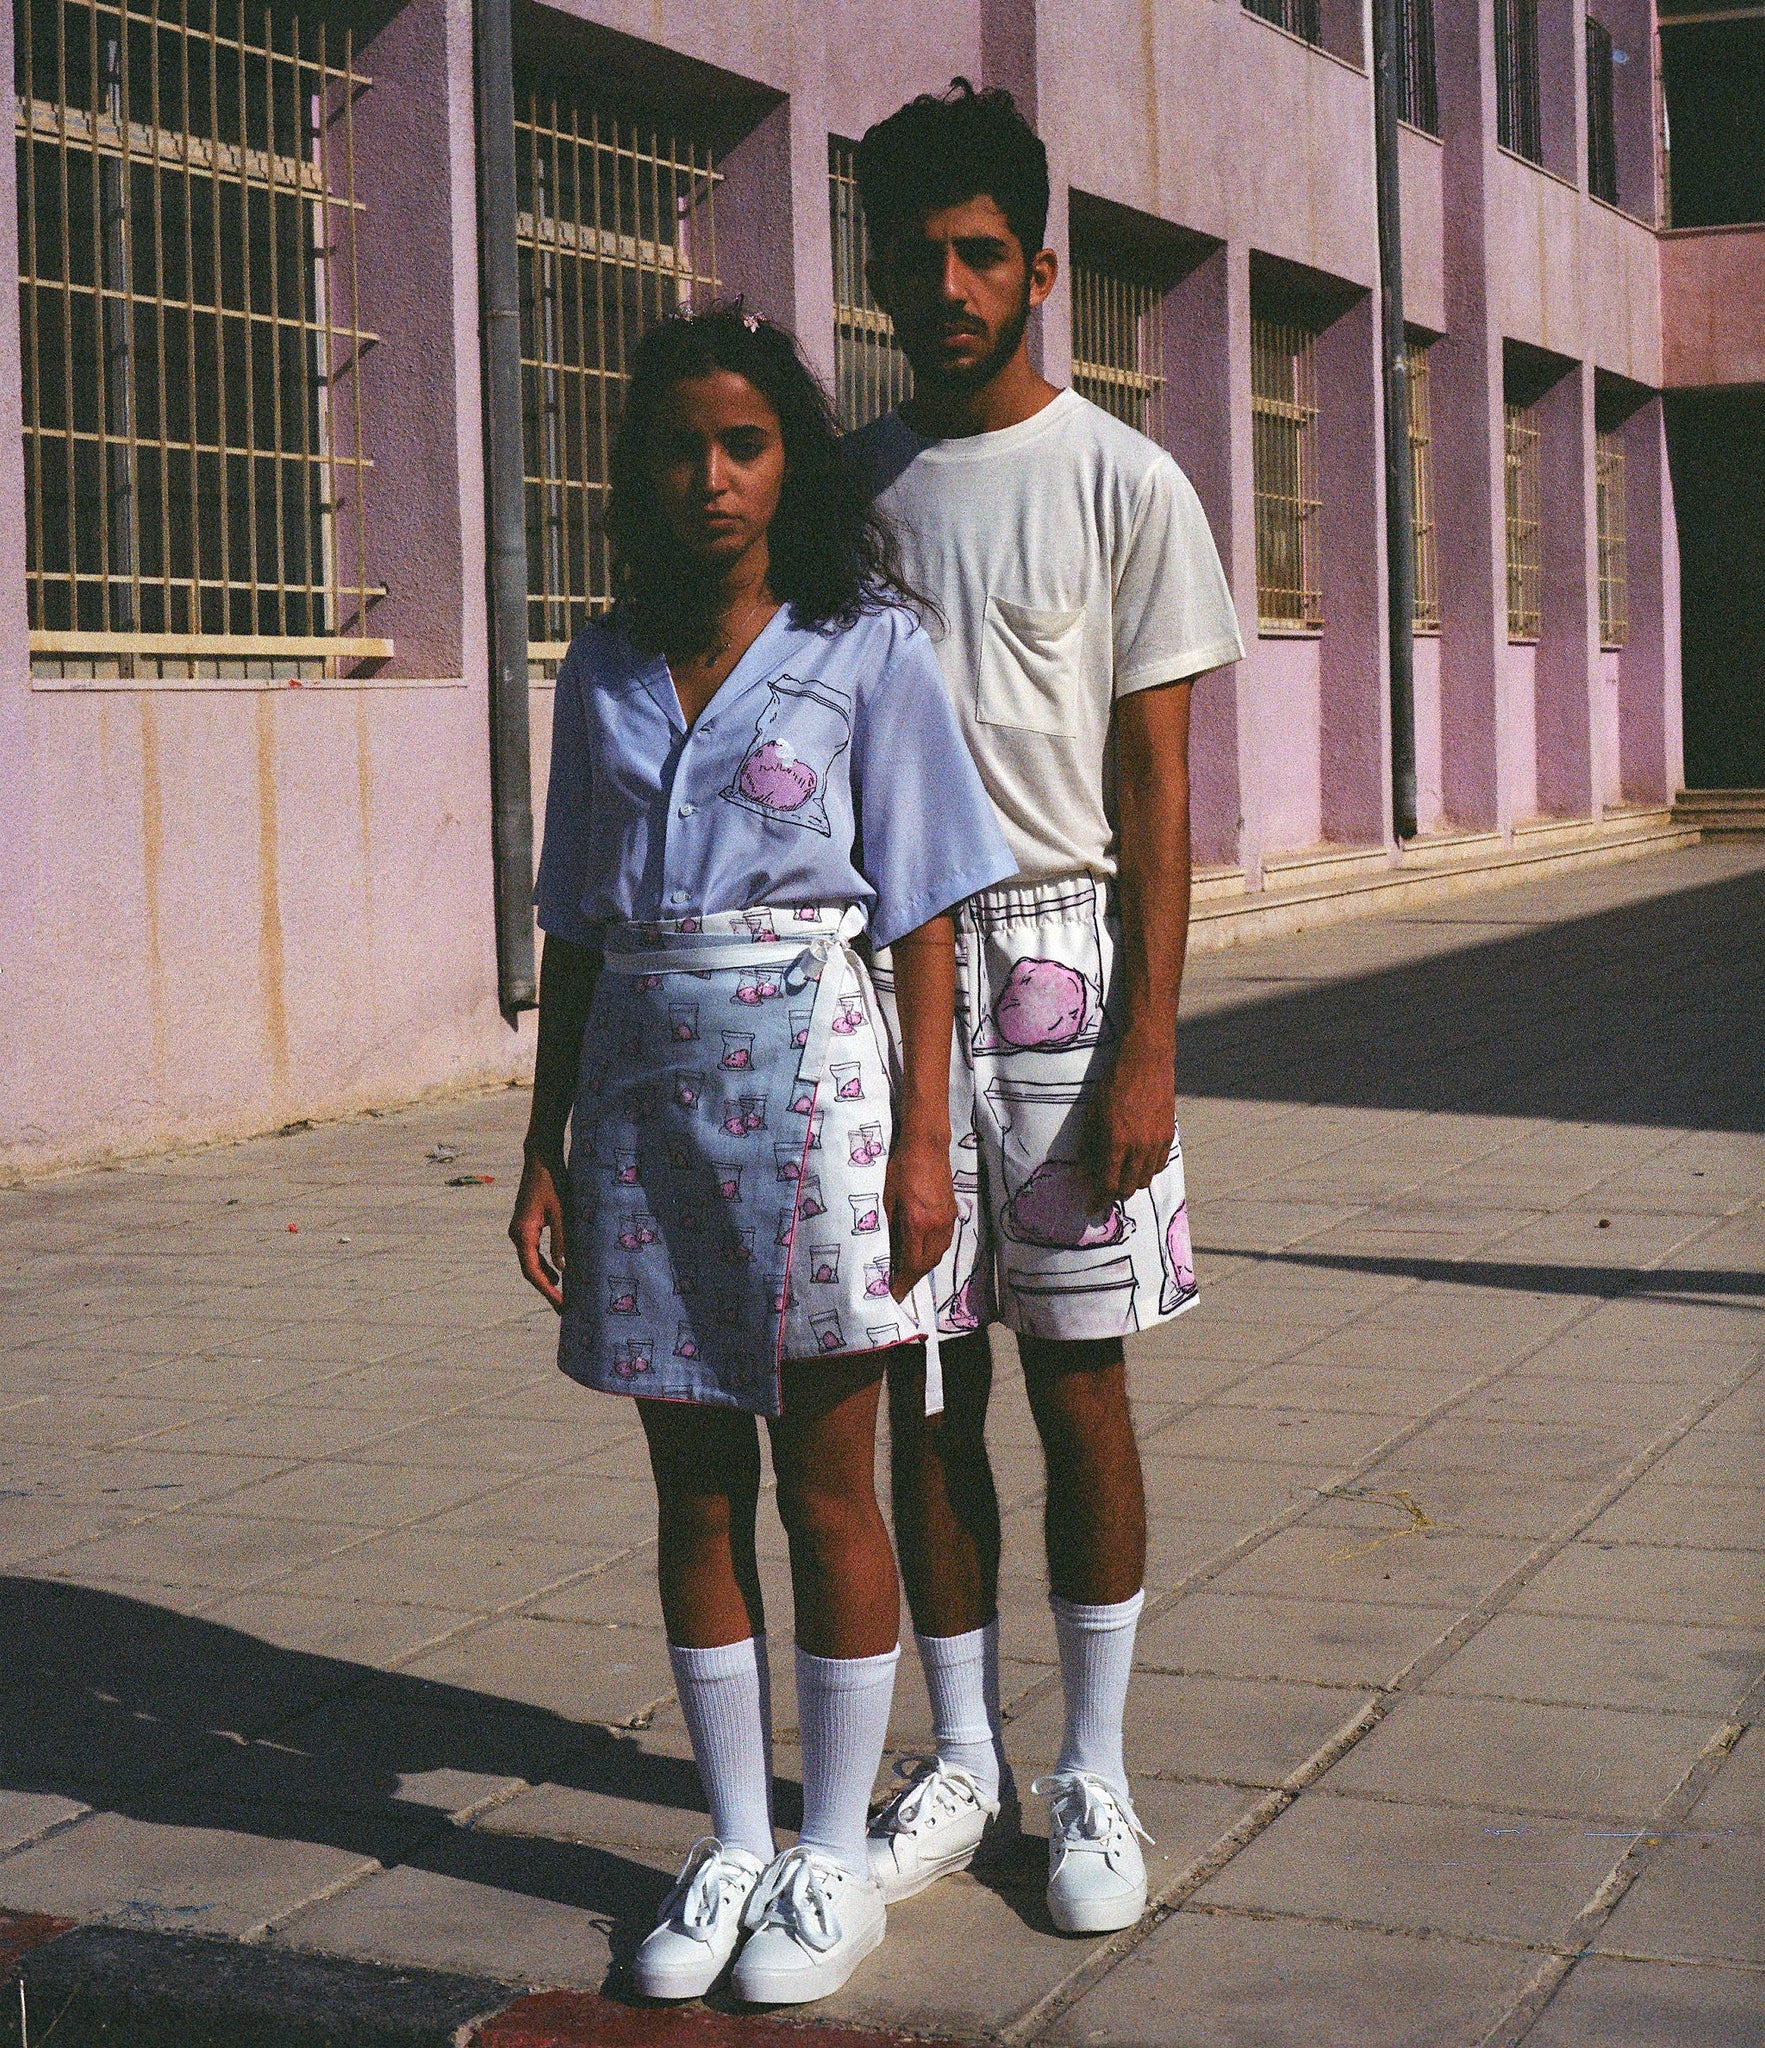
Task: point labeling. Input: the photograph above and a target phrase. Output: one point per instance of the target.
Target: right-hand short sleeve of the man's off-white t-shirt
(1174, 609)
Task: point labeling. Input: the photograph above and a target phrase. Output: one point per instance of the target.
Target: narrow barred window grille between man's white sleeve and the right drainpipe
(1287, 474)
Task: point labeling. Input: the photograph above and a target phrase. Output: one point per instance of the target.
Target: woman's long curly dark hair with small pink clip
(832, 554)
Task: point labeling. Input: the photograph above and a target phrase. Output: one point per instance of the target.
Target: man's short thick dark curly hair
(945, 148)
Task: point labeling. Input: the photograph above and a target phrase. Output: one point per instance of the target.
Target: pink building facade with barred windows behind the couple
(251, 871)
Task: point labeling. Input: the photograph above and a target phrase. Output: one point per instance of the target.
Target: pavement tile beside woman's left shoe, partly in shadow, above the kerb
(499, 1906)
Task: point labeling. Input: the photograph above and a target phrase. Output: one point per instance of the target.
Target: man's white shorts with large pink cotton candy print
(1035, 1037)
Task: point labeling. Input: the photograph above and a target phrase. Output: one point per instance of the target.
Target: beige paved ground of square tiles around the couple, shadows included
(329, 1613)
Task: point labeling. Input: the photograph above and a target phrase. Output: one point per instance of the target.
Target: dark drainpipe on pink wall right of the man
(1400, 497)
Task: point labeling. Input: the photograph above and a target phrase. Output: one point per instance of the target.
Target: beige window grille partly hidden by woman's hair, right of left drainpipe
(615, 222)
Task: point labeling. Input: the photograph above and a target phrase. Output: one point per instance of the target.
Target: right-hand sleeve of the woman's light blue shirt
(927, 826)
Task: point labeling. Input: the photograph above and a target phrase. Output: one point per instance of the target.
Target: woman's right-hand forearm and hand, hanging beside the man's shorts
(916, 1191)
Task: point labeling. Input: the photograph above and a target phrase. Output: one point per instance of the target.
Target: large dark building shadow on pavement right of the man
(1645, 1015)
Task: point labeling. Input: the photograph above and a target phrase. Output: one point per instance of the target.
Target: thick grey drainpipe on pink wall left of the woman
(511, 761)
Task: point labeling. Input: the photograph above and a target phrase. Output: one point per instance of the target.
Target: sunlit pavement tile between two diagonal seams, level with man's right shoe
(1404, 1865)
